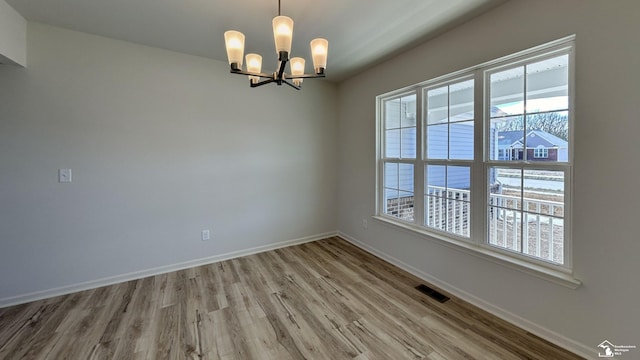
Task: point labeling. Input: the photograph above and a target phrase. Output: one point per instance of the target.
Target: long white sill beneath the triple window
(542, 272)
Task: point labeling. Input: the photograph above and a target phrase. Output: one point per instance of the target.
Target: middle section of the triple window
(449, 133)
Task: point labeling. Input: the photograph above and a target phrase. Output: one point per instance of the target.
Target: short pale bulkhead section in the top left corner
(13, 36)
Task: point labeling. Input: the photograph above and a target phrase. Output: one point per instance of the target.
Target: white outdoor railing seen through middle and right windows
(542, 237)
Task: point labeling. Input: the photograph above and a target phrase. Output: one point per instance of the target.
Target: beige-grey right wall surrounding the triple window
(607, 172)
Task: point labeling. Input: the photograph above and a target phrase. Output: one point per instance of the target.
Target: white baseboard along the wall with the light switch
(92, 284)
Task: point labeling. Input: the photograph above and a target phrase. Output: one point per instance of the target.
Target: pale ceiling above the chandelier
(360, 32)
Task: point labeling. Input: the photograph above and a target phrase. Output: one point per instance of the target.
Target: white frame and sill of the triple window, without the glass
(477, 244)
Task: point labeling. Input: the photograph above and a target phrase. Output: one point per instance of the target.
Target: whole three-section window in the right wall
(481, 158)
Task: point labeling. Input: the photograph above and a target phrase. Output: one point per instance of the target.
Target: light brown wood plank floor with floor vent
(321, 300)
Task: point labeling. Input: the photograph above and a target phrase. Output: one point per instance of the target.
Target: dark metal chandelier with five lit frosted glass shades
(282, 34)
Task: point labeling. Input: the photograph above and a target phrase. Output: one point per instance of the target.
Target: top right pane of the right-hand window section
(548, 85)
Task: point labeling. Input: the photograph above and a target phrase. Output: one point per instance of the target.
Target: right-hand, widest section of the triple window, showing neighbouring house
(529, 101)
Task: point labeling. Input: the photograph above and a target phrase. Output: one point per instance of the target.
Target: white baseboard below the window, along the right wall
(549, 335)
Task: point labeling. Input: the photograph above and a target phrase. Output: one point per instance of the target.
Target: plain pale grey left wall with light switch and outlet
(161, 145)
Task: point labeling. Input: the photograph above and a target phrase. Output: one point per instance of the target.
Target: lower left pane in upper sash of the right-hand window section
(507, 138)
